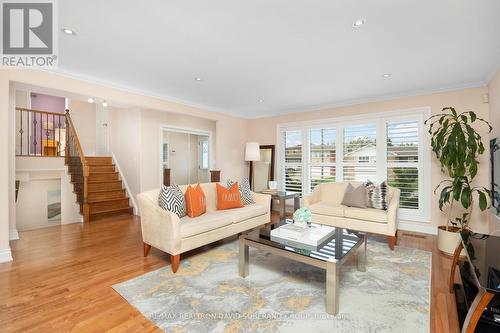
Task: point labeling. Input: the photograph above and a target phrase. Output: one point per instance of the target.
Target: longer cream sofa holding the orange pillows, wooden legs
(167, 232)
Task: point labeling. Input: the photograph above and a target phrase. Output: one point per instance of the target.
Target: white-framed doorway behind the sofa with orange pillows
(185, 154)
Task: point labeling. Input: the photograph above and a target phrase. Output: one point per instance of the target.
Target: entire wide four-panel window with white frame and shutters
(388, 146)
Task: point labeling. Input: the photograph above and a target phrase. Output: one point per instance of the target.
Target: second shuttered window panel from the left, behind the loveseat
(322, 156)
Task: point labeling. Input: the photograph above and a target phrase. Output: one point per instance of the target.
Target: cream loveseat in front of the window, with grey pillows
(326, 208)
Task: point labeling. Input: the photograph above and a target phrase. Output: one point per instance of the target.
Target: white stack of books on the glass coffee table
(312, 238)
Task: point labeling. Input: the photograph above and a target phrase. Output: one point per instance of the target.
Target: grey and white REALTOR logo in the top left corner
(29, 33)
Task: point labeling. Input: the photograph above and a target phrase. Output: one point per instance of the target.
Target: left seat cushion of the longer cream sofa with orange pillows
(204, 223)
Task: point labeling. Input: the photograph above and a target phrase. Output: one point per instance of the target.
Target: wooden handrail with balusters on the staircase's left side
(70, 128)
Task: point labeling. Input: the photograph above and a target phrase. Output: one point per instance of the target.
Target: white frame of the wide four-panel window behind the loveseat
(423, 213)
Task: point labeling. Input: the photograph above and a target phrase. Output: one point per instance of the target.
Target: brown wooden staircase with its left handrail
(96, 182)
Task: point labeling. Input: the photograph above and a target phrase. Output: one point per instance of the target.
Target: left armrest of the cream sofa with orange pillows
(160, 228)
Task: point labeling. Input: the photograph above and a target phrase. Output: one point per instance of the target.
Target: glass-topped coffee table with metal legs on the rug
(329, 256)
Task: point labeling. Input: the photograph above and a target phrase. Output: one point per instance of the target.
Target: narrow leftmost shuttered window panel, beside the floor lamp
(292, 171)
